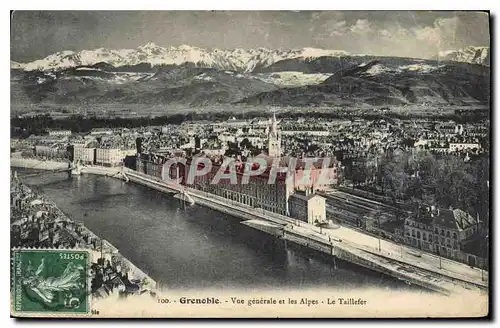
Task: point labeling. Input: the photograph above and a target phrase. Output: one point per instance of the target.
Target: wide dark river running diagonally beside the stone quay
(195, 247)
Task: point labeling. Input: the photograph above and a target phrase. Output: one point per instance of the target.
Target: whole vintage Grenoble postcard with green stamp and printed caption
(250, 164)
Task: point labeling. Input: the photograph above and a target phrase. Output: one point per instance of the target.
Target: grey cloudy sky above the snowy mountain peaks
(420, 34)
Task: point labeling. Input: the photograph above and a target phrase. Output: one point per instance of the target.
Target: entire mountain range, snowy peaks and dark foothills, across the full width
(185, 75)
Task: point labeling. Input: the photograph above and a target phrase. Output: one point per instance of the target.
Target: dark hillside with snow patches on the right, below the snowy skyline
(383, 82)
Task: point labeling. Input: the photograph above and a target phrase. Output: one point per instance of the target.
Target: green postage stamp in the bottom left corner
(46, 281)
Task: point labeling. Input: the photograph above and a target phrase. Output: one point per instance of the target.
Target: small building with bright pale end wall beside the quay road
(307, 207)
